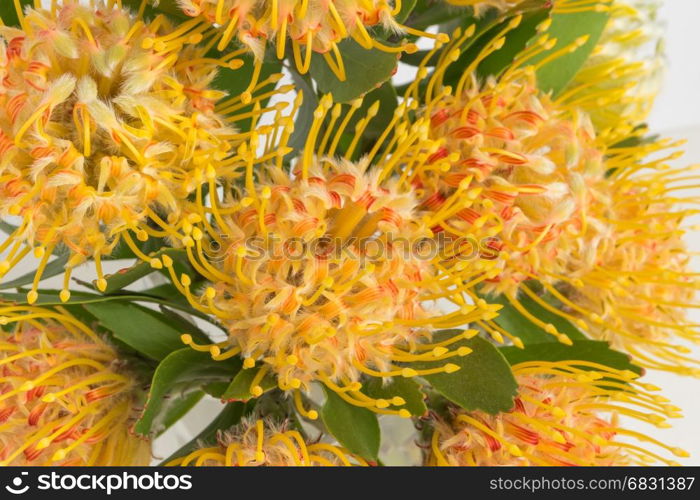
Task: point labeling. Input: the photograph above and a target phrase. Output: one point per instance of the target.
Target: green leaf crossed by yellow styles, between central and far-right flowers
(512, 321)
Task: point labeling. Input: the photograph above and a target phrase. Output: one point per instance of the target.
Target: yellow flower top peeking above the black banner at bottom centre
(264, 444)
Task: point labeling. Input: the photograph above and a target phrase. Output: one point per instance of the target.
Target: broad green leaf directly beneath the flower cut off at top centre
(365, 69)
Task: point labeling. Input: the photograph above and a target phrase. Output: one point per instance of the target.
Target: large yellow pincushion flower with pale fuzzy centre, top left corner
(106, 122)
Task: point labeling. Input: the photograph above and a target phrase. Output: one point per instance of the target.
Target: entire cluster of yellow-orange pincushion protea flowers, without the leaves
(333, 264)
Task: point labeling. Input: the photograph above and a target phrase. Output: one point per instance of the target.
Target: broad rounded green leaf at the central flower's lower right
(483, 382)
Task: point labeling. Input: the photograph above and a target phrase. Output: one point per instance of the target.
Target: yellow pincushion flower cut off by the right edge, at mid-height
(633, 285)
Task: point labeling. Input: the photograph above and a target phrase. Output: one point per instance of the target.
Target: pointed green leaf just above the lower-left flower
(144, 330)
